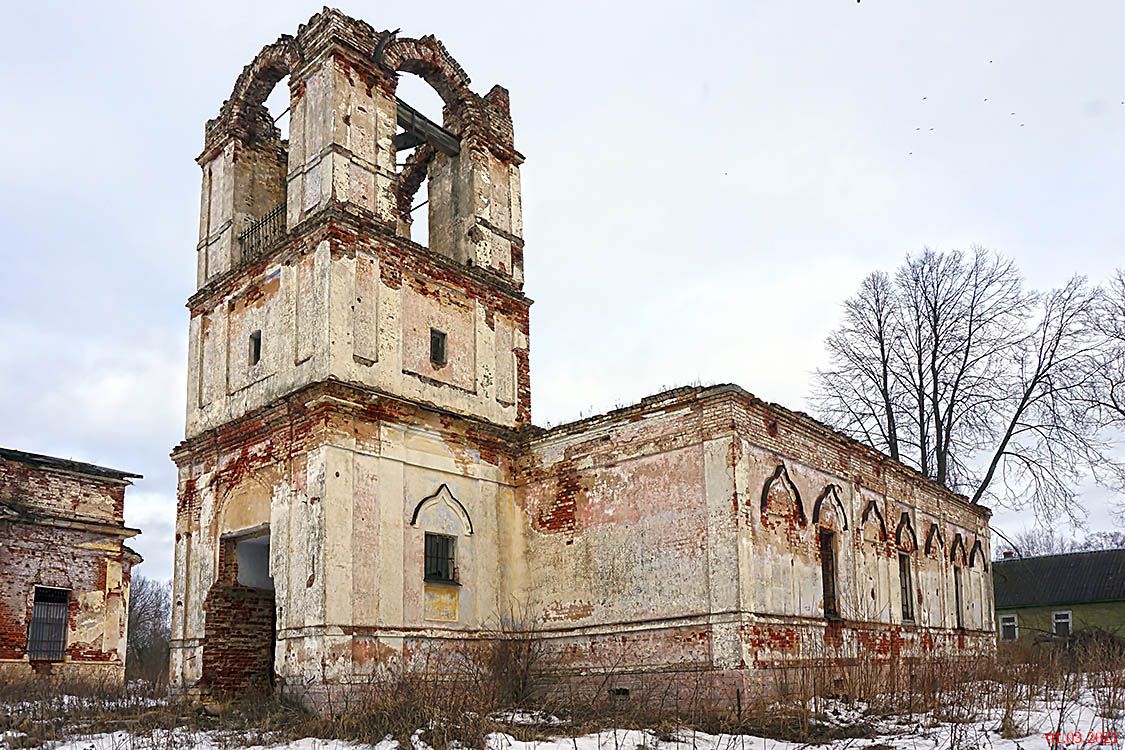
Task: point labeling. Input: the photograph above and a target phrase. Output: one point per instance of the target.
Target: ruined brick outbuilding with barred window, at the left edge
(65, 568)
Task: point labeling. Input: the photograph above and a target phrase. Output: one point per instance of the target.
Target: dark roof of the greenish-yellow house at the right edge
(1074, 579)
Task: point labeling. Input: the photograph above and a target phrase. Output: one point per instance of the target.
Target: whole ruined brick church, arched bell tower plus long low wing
(361, 478)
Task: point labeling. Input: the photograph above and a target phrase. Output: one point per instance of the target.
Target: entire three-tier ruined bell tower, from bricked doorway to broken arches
(340, 369)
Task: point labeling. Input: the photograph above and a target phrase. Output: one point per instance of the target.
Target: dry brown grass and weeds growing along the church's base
(456, 698)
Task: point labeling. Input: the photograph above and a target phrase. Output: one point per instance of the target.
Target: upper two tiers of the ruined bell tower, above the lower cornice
(327, 210)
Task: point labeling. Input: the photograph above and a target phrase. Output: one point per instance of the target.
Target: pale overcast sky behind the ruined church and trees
(705, 185)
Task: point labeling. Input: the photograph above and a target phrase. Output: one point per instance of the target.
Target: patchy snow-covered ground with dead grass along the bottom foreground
(1072, 711)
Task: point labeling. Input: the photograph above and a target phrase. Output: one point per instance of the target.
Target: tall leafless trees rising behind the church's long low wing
(952, 367)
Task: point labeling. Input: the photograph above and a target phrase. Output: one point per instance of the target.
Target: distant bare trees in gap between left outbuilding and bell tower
(150, 629)
